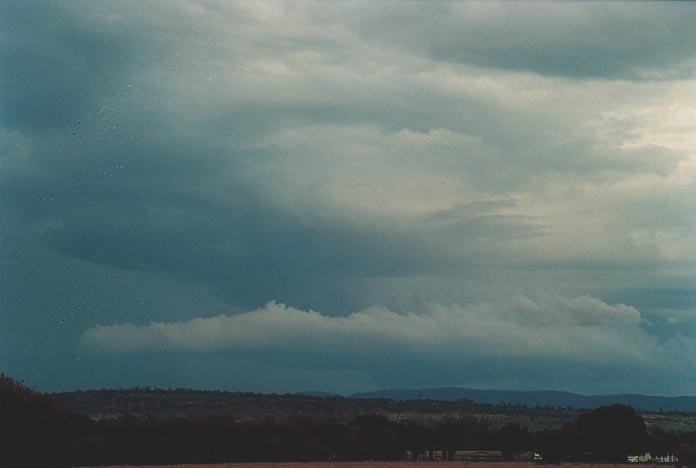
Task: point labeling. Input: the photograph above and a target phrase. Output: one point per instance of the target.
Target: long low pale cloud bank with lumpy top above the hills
(581, 329)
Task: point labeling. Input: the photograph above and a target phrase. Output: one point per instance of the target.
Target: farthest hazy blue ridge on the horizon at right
(537, 398)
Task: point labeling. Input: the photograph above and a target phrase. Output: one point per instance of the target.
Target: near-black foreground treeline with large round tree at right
(35, 432)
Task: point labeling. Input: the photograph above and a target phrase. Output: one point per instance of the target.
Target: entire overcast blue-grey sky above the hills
(343, 197)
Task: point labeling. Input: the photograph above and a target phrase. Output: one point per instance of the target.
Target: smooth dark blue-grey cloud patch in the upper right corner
(575, 40)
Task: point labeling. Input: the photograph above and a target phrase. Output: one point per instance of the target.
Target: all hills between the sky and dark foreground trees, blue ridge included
(536, 410)
